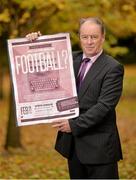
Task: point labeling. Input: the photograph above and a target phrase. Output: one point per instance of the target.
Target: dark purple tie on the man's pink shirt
(82, 72)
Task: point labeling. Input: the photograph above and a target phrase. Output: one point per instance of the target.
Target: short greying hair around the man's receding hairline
(95, 20)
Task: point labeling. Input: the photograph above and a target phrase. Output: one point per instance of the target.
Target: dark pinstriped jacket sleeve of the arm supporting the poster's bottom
(109, 96)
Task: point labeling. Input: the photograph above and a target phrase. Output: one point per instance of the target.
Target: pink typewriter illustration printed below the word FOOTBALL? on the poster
(43, 81)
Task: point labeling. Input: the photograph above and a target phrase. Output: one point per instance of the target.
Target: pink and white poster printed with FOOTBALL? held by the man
(43, 79)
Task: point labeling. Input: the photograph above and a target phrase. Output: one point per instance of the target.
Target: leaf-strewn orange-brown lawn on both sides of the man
(38, 159)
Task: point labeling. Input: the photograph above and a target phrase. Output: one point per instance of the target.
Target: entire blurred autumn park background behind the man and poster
(28, 152)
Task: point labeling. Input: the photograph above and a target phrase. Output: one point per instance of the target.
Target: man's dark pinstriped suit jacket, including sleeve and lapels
(94, 132)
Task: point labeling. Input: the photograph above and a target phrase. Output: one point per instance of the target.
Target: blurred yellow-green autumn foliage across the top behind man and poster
(18, 18)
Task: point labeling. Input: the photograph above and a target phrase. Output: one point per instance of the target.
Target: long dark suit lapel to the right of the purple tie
(94, 71)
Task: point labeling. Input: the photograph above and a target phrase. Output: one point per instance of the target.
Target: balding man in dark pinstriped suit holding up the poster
(91, 141)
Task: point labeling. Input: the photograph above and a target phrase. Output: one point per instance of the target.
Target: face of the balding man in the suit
(91, 38)
